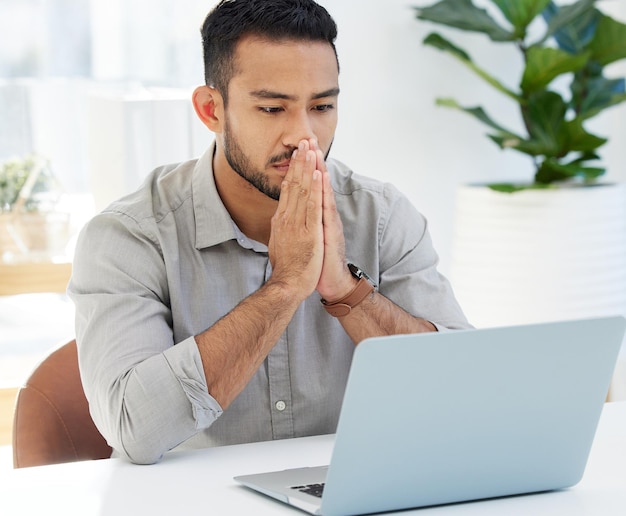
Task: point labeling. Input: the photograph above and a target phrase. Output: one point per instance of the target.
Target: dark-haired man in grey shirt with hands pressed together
(216, 304)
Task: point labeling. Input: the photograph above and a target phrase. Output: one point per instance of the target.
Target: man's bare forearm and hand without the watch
(234, 348)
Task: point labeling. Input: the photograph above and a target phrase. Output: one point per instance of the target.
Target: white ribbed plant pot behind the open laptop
(540, 255)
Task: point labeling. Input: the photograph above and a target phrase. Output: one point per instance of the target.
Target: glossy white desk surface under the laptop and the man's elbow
(200, 482)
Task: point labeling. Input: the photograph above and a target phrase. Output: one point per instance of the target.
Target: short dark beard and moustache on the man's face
(242, 165)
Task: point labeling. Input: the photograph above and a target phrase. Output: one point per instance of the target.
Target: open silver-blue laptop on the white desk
(448, 417)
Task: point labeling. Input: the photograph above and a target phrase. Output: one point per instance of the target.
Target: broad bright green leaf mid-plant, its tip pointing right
(543, 65)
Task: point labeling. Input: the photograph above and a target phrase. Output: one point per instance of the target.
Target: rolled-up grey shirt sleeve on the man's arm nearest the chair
(147, 393)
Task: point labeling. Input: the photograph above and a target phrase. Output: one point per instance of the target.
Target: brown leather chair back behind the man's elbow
(52, 423)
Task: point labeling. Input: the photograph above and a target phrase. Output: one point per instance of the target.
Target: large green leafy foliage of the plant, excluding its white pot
(578, 41)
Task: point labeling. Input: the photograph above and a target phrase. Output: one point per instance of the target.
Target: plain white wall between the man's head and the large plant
(390, 128)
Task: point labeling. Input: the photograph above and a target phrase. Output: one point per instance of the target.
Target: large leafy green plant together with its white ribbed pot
(550, 247)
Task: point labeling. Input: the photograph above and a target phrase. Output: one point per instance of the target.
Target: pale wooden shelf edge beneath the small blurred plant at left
(32, 277)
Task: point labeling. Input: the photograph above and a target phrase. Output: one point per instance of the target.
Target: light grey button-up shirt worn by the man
(166, 262)
